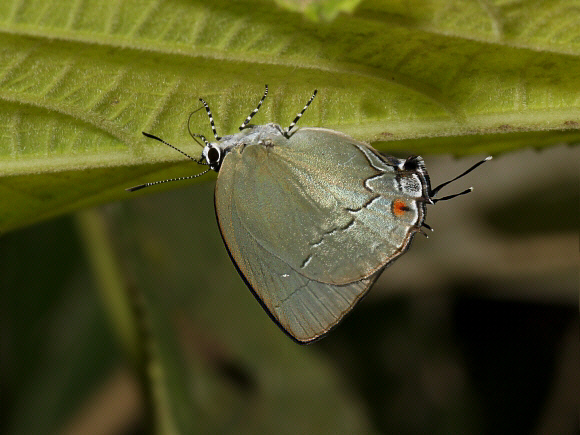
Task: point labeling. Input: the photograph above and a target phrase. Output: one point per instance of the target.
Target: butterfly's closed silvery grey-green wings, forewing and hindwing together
(312, 220)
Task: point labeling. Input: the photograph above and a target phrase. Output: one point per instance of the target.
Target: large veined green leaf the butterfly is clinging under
(79, 81)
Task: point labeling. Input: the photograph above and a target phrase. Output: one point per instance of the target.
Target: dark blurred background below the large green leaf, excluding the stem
(474, 330)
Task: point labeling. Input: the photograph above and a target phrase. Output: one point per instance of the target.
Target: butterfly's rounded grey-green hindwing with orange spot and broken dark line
(317, 201)
